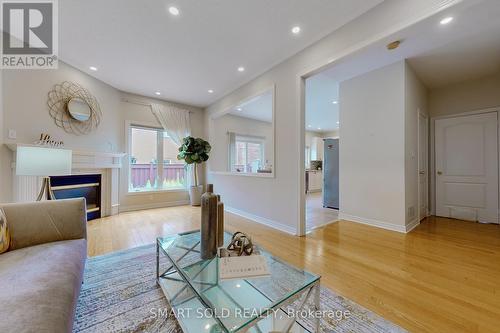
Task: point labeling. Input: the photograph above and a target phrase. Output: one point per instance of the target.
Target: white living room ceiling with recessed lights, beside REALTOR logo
(139, 47)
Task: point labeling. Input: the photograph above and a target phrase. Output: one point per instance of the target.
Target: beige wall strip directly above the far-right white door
(465, 96)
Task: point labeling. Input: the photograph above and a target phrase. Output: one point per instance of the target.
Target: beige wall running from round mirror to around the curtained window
(25, 110)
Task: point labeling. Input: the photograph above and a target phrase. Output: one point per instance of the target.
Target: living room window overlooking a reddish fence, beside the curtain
(153, 161)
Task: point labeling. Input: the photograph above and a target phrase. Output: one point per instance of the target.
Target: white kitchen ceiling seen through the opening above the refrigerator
(322, 114)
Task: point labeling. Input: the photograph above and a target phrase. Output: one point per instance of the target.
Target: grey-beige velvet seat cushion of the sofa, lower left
(39, 286)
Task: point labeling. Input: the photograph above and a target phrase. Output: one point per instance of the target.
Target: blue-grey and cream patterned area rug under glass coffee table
(120, 294)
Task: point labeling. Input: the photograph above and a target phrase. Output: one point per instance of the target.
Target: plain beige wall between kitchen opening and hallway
(372, 163)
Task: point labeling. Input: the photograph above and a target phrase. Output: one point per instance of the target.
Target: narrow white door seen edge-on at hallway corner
(423, 178)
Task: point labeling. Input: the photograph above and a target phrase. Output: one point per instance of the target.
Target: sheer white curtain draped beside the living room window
(177, 124)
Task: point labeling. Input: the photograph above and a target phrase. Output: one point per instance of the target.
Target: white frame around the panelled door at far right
(432, 161)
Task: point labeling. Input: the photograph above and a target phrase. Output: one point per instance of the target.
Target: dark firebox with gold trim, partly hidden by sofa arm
(80, 186)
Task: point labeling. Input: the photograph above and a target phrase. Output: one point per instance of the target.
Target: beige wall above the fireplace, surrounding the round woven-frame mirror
(25, 111)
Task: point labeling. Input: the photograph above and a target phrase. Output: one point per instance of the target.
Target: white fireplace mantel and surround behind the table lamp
(108, 164)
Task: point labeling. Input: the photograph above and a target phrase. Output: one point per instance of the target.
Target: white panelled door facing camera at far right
(467, 167)
